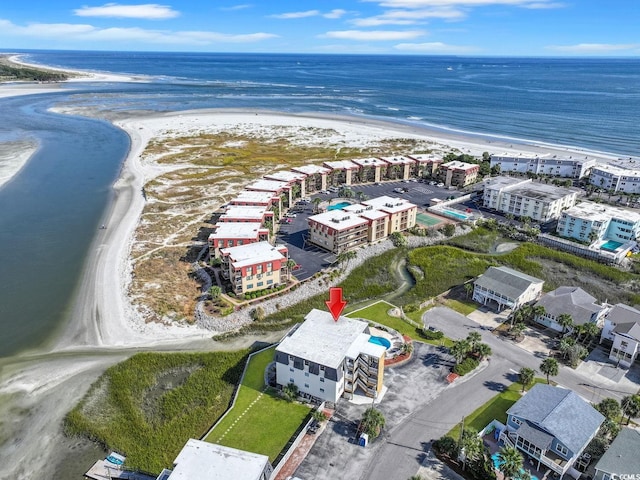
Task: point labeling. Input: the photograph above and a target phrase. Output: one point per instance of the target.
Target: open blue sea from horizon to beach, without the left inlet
(591, 103)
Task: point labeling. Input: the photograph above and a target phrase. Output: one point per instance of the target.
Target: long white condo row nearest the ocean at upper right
(570, 167)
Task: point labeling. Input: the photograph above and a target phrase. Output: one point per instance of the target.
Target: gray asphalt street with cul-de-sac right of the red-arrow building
(404, 447)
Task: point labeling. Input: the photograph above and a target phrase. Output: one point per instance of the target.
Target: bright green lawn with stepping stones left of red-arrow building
(260, 420)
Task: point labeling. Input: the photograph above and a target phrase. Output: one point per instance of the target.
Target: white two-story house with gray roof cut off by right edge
(622, 329)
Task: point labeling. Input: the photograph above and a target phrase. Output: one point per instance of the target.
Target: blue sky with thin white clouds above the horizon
(426, 27)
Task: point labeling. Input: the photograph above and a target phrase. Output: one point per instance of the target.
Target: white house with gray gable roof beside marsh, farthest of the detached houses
(504, 287)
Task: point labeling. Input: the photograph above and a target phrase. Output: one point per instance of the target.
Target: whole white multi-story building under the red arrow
(326, 359)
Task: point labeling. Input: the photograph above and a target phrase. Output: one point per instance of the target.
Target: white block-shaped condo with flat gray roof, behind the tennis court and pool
(524, 198)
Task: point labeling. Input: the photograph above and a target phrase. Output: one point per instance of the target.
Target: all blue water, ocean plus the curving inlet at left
(50, 211)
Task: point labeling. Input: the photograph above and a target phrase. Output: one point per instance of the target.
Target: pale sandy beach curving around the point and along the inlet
(39, 387)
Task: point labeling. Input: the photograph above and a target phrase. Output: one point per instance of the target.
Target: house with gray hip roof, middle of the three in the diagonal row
(571, 301)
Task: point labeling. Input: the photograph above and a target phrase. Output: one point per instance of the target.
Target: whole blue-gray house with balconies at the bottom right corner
(551, 426)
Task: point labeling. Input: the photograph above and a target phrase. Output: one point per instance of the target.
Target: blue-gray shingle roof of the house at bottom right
(560, 412)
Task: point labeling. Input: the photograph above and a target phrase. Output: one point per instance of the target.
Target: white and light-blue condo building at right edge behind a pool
(607, 222)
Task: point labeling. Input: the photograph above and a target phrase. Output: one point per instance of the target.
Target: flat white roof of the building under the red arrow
(321, 340)
